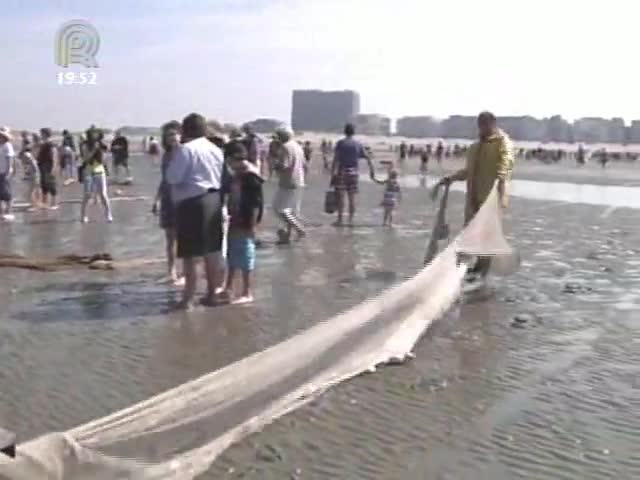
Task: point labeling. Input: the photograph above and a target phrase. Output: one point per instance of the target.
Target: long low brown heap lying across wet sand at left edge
(98, 261)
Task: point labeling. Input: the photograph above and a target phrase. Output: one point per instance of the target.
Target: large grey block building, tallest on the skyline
(323, 111)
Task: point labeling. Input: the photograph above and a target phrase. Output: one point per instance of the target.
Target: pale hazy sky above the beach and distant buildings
(236, 60)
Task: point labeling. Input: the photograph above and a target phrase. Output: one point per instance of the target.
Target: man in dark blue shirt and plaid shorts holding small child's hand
(345, 171)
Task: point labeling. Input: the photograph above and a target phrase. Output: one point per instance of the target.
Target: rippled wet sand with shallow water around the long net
(537, 377)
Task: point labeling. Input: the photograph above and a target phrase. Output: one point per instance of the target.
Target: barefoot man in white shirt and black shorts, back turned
(195, 176)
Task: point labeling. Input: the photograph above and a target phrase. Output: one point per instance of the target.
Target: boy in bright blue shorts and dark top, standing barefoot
(245, 204)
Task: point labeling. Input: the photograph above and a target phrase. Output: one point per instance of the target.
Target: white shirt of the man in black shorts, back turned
(194, 169)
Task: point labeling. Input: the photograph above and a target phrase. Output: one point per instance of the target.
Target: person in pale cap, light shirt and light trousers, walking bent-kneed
(289, 166)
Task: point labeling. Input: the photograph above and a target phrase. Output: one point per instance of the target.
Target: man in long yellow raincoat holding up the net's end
(489, 159)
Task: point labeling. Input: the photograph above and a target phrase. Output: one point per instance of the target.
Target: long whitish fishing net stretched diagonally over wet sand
(179, 433)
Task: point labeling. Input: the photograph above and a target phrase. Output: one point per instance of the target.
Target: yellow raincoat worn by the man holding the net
(487, 161)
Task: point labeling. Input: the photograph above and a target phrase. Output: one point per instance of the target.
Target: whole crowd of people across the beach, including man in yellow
(210, 196)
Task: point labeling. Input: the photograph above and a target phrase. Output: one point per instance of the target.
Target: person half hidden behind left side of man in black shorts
(163, 204)
